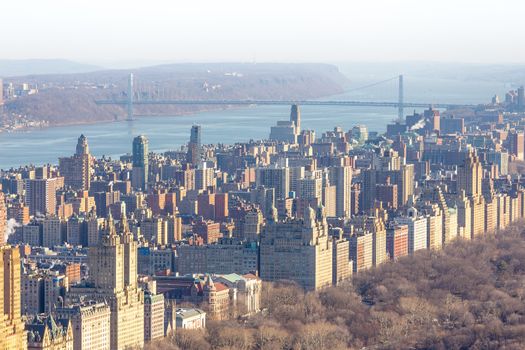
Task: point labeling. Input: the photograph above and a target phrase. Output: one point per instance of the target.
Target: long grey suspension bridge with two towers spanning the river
(130, 100)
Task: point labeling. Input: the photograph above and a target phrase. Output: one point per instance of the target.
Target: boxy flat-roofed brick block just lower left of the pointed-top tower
(41, 196)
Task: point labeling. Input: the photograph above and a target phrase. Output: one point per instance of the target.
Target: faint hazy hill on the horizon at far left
(10, 68)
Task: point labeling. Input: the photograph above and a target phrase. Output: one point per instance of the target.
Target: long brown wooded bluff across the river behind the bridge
(70, 98)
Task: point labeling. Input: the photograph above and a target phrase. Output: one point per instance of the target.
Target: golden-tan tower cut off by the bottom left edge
(12, 333)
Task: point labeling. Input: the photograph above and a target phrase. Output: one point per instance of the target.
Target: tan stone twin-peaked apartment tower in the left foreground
(113, 269)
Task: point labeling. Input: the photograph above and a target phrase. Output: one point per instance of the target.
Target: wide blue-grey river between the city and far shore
(44, 146)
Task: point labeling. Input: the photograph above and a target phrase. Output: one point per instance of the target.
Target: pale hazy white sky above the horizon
(270, 30)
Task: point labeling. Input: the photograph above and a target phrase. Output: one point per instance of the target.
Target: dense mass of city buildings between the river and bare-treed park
(152, 242)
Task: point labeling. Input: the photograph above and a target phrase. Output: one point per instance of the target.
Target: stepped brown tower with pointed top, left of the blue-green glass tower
(77, 169)
